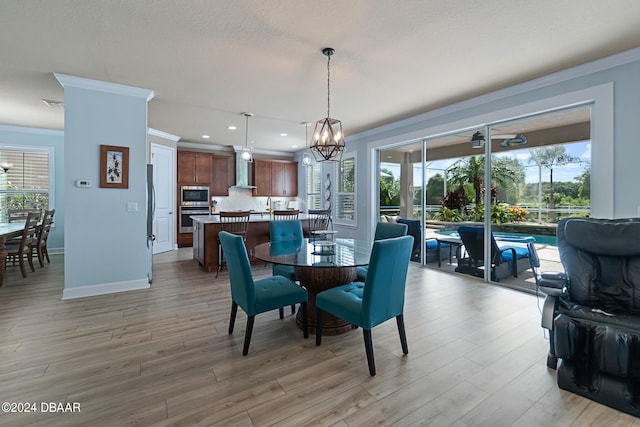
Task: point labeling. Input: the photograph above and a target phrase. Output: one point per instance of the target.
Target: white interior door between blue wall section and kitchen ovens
(164, 180)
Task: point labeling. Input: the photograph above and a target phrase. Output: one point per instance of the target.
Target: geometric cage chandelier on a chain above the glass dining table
(328, 138)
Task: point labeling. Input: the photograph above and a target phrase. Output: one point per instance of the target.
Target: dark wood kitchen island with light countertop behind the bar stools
(207, 227)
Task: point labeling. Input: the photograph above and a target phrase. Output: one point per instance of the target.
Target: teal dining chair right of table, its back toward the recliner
(380, 299)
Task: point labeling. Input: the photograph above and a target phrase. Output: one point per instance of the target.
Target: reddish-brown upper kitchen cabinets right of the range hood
(275, 178)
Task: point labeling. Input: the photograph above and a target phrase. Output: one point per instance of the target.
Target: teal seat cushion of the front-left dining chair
(275, 292)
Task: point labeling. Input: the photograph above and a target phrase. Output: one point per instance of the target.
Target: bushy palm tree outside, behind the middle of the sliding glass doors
(470, 170)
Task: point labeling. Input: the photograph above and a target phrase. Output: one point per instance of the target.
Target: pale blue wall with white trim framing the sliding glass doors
(611, 84)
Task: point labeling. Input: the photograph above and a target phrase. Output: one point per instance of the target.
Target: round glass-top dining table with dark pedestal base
(319, 264)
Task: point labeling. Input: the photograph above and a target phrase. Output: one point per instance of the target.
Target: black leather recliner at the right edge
(592, 311)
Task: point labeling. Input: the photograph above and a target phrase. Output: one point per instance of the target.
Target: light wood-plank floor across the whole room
(163, 357)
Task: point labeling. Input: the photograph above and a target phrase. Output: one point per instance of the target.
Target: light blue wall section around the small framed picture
(105, 244)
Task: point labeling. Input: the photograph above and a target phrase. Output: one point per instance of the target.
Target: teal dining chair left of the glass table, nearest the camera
(259, 296)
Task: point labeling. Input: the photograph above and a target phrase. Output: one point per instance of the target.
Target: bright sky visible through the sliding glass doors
(581, 150)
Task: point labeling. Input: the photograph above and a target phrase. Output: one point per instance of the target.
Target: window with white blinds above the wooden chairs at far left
(24, 180)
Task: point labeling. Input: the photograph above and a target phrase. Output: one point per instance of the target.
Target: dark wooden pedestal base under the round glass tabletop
(316, 280)
